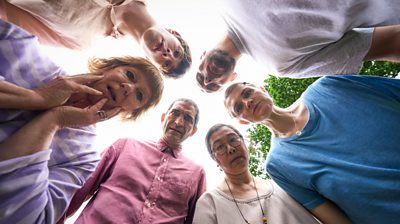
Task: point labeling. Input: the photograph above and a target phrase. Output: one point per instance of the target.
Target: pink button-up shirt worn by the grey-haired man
(135, 182)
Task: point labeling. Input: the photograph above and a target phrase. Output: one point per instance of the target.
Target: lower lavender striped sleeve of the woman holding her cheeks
(38, 188)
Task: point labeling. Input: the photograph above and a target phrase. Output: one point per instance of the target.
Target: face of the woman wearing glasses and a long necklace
(229, 150)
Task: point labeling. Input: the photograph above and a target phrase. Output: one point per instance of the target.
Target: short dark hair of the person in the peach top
(186, 62)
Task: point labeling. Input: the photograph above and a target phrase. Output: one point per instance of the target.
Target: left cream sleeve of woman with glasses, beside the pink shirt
(205, 210)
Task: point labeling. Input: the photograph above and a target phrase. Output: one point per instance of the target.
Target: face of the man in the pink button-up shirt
(179, 123)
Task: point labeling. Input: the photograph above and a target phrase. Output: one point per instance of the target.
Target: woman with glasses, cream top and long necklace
(241, 197)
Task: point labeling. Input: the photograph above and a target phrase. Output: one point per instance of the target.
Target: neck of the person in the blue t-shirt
(285, 122)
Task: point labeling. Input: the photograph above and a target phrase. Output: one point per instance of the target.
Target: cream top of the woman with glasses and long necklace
(217, 207)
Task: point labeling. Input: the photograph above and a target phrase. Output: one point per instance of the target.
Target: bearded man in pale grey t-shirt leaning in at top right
(302, 38)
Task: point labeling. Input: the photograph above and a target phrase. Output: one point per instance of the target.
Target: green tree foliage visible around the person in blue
(284, 92)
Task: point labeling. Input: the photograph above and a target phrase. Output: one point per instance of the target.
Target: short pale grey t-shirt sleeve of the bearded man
(344, 56)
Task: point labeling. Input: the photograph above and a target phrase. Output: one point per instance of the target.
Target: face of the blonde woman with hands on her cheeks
(124, 87)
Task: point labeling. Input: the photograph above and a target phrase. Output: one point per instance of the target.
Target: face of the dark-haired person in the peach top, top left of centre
(163, 48)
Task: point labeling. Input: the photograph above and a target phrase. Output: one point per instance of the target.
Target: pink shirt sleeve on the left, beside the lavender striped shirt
(99, 176)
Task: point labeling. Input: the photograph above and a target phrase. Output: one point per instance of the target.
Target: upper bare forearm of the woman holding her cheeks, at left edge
(16, 97)
